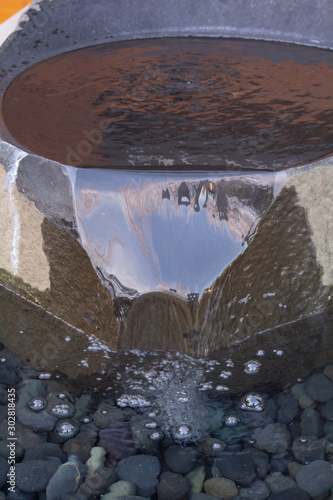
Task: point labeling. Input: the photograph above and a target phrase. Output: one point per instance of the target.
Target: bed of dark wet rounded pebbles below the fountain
(262, 446)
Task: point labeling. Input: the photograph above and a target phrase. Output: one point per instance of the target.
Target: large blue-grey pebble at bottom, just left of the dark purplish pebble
(142, 470)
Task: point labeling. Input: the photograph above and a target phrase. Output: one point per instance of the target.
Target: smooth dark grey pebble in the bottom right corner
(316, 478)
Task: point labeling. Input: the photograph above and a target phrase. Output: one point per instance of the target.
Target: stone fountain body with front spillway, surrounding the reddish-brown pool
(209, 261)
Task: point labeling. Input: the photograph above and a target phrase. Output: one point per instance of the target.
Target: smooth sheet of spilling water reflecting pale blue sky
(146, 232)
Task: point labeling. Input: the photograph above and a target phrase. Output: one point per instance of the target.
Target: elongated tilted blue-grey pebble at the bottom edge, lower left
(66, 479)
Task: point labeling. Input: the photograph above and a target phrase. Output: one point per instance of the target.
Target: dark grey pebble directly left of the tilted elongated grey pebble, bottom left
(34, 475)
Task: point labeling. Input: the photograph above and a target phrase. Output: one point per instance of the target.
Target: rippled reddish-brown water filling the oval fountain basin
(176, 102)
